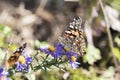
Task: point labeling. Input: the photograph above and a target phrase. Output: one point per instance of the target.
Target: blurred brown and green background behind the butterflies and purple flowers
(37, 21)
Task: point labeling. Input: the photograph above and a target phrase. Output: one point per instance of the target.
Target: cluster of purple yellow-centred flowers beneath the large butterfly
(58, 50)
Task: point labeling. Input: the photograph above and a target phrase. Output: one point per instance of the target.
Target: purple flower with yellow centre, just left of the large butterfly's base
(55, 51)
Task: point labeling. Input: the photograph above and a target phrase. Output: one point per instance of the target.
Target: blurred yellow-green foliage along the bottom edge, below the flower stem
(79, 74)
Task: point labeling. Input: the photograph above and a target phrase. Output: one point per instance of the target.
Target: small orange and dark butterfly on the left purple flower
(14, 58)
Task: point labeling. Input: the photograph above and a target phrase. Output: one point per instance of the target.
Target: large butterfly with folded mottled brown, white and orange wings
(73, 38)
